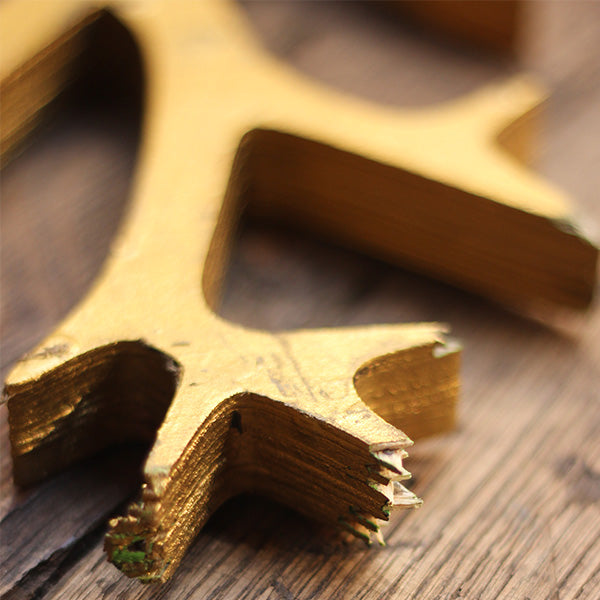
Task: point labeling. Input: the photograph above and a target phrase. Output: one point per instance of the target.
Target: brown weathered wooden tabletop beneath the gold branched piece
(512, 498)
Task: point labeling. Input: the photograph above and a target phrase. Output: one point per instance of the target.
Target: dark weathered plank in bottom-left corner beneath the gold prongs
(47, 530)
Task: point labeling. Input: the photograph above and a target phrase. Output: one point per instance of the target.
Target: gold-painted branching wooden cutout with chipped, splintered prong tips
(310, 418)
